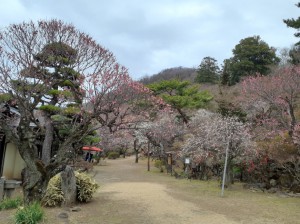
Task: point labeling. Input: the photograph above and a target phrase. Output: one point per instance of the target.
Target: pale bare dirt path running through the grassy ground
(152, 201)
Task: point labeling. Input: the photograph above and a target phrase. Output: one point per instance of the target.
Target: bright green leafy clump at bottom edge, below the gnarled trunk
(30, 214)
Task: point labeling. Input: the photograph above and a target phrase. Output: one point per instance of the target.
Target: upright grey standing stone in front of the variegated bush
(68, 186)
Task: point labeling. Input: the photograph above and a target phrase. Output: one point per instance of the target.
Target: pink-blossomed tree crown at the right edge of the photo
(273, 99)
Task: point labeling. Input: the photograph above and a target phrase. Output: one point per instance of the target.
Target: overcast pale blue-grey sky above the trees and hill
(148, 36)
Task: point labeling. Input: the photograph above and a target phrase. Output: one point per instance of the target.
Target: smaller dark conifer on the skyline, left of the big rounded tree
(208, 71)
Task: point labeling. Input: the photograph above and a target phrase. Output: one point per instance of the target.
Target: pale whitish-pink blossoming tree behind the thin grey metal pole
(211, 134)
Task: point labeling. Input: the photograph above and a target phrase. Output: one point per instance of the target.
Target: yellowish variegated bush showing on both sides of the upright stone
(85, 185)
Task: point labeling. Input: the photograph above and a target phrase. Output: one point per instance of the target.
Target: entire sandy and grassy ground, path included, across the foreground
(129, 194)
